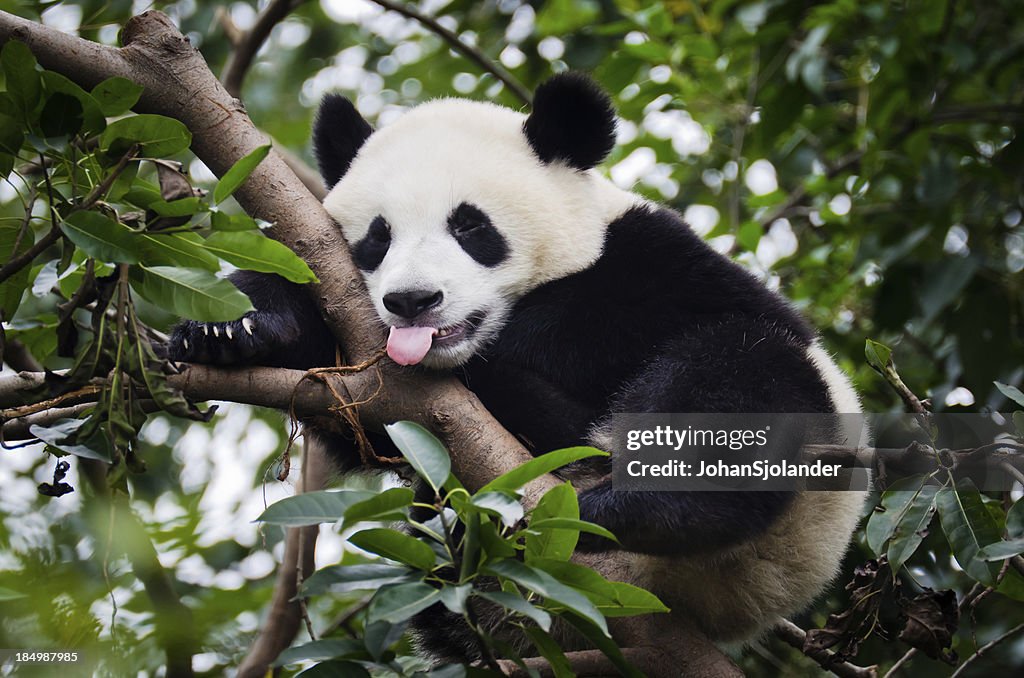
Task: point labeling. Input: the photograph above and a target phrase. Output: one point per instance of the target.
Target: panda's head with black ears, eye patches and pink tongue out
(459, 208)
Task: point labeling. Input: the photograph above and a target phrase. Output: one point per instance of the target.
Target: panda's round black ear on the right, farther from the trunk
(573, 121)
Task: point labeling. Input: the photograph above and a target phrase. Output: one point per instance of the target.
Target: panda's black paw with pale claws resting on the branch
(254, 337)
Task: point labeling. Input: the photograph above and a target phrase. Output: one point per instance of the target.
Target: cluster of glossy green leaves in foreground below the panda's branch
(462, 552)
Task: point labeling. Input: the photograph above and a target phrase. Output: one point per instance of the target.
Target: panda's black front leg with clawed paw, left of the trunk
(285, 330)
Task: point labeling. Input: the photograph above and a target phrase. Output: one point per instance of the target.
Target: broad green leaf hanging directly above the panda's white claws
(192, 293)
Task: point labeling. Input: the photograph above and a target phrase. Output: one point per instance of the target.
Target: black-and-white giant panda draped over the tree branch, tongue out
(492, 248)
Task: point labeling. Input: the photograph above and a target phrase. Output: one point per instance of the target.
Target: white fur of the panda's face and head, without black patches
(418, 169)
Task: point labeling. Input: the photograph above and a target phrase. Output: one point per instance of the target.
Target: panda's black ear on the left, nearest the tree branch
(338, 135)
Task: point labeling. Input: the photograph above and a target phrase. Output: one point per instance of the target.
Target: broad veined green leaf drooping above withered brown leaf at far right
(969, 527)
